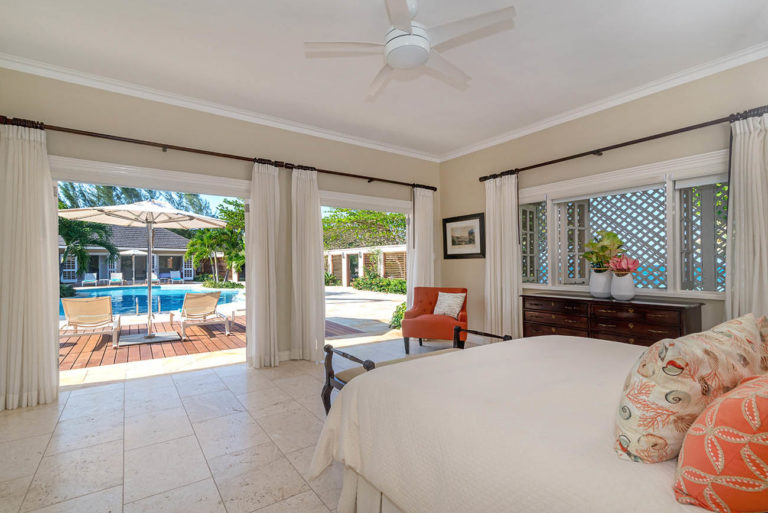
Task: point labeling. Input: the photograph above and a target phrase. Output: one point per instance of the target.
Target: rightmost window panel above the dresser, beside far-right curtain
(703, 235)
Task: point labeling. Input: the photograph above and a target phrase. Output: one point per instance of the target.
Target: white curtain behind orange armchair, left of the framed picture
(421, 240)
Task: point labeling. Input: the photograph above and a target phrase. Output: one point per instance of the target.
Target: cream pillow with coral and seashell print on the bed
(675, 379)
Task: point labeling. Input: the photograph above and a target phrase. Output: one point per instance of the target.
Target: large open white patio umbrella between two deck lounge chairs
(150, 213)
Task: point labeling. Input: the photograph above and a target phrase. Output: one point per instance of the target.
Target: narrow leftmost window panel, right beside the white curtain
(533, 242)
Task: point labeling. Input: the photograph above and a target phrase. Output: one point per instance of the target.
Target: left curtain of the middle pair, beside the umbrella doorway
(261, 267)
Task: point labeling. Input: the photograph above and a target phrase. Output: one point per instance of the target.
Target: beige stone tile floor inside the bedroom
(228, 439)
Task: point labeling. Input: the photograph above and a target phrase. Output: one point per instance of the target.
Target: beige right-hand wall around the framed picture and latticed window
(708, 98)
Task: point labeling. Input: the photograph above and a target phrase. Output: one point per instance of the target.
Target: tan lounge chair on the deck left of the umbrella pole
(90, 313)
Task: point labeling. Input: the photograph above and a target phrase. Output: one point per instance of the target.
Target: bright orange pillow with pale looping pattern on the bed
(723, 464)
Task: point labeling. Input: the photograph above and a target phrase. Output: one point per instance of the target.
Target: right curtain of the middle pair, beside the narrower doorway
(308, 322)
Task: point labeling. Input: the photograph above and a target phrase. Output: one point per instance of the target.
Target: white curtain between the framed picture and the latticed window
(502, 262)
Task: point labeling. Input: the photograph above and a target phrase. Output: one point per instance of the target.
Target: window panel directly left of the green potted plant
(573, 220)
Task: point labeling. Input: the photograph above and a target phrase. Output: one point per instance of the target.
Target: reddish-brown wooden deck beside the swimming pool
(96, 350)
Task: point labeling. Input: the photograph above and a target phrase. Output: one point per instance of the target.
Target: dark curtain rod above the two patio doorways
(4, 120)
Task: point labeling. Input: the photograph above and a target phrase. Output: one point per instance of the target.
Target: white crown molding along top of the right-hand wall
(733, 60)
